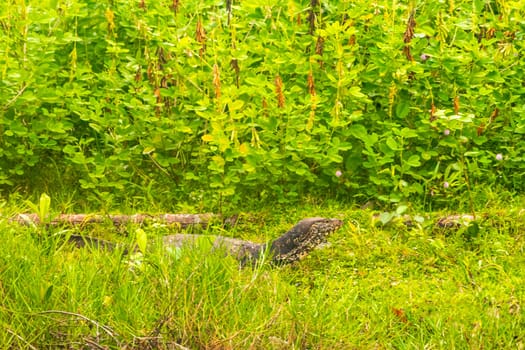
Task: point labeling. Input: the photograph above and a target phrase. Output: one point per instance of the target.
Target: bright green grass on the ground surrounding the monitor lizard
(374, 287)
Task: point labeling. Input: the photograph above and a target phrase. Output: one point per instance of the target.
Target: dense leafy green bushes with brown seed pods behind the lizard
(234, 99)
